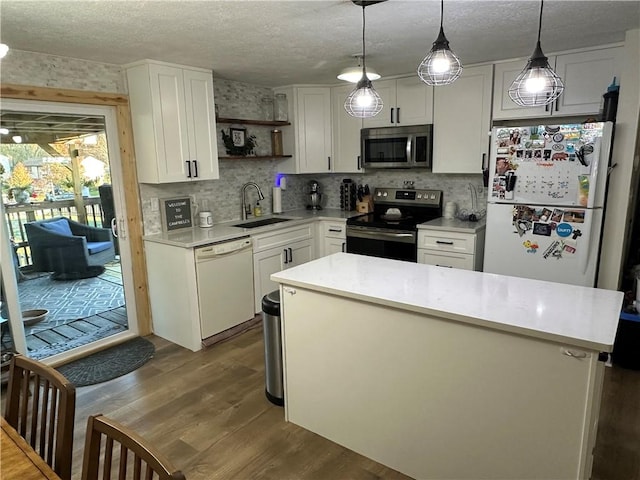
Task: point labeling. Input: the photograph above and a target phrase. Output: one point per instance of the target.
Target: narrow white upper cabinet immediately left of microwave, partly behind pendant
(346, 133)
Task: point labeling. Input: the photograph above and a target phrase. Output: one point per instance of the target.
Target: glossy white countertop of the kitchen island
(570, 315)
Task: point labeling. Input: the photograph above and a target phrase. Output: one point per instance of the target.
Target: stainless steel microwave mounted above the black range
(409, 146)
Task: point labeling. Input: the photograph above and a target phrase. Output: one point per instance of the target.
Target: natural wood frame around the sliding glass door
(129, 176)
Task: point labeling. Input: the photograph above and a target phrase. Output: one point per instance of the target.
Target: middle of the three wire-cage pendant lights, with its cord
(441, 66)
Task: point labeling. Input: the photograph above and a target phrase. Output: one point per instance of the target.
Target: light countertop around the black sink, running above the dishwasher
(220, 232)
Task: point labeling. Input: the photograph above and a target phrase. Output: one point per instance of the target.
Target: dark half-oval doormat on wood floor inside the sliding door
(109, 363)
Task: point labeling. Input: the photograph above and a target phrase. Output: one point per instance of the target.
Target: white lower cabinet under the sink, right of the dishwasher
(276, 251)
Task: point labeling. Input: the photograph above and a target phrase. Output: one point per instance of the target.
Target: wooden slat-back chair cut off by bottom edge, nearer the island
(128, 466)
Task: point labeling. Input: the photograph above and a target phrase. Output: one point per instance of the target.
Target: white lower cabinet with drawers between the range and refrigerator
(451, 249)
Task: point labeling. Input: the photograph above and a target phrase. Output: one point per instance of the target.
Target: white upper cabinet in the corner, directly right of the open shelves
(309, 136)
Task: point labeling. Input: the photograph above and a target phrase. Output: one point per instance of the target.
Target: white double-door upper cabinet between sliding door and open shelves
(173, 118)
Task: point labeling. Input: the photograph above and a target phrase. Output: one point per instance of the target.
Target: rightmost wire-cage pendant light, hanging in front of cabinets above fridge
(537, 84)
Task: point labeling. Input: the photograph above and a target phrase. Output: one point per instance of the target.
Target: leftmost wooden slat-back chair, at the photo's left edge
(41, 405)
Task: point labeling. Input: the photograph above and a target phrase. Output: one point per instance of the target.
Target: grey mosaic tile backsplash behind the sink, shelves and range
(241, 100)
